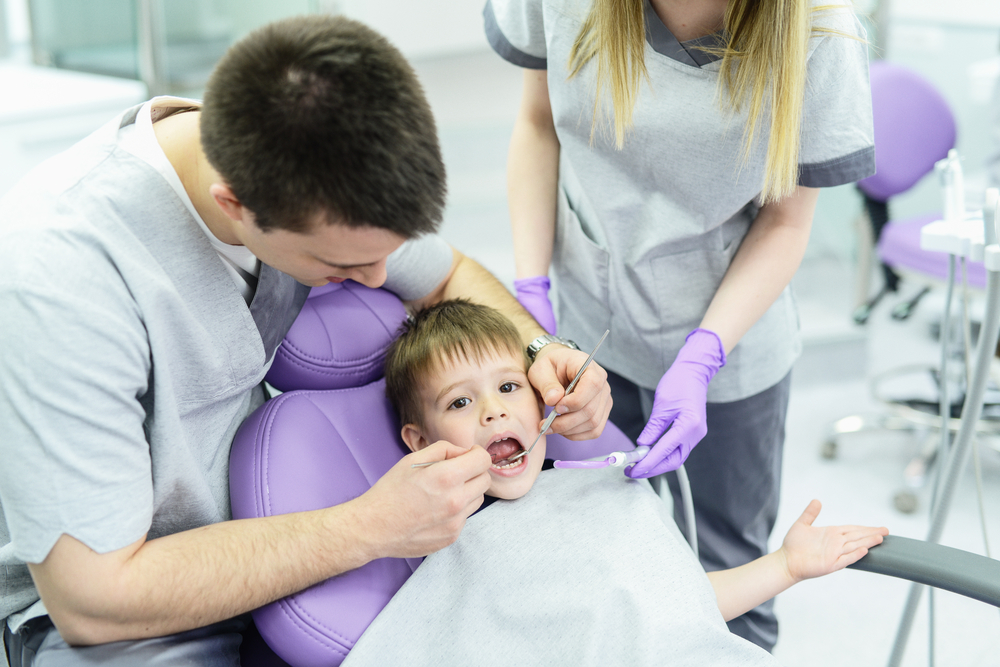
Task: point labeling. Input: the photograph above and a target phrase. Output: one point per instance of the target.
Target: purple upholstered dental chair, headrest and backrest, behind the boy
(323, 442)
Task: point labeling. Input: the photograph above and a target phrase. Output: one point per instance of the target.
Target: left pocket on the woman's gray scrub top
(582, 274)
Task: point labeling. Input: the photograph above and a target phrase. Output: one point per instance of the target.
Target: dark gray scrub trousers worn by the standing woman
(735, 475)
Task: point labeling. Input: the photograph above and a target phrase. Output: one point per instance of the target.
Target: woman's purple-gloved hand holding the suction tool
(679, 405)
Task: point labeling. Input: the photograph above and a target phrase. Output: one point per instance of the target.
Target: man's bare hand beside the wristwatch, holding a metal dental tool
(584, 412)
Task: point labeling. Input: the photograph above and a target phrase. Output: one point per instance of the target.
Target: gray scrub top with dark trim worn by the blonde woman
(645, 234)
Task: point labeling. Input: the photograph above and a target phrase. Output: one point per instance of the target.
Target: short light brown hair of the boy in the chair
(447, 332)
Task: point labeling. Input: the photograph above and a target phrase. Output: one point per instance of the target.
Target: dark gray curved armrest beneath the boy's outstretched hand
(962, 572)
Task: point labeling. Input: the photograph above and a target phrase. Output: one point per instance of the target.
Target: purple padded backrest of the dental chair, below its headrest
(307, 450)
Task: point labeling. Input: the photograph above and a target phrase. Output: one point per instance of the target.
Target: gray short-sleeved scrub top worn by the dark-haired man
(130, 357)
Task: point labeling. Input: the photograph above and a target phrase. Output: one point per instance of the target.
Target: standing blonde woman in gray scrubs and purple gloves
(664, 167)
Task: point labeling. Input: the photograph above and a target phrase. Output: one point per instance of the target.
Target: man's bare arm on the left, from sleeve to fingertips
(197, 577)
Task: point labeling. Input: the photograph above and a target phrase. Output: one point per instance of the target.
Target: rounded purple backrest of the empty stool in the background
(914, 128)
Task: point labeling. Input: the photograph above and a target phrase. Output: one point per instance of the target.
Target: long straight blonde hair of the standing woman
(763, 66)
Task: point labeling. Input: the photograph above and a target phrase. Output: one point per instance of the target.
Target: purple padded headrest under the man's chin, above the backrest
(339, 338)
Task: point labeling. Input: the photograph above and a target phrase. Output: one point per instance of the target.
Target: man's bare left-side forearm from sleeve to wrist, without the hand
(196, 577)
